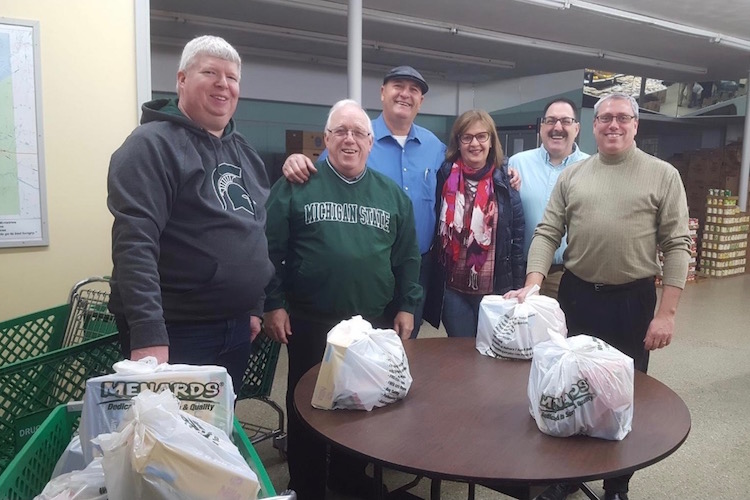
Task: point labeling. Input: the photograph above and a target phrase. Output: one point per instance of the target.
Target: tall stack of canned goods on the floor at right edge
(725, 234)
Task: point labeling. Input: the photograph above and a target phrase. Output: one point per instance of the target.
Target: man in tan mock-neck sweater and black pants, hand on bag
(616, 207)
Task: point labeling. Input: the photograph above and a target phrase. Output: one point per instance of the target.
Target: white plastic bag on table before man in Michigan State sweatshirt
(362, 368)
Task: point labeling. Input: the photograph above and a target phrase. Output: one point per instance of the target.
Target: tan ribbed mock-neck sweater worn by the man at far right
(616, 209)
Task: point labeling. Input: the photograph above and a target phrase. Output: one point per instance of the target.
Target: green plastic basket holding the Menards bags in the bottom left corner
(31, 469)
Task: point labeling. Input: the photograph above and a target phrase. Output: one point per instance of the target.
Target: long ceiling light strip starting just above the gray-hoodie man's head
(159, 15)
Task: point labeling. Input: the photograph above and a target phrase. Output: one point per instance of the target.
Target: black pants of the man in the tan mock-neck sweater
(618, 315)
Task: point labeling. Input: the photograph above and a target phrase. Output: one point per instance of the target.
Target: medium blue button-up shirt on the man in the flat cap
(413, 167)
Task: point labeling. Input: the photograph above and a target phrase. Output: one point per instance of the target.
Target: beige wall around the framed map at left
(89, 104)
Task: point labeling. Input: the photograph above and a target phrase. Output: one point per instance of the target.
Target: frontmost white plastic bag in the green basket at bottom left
(161, 452)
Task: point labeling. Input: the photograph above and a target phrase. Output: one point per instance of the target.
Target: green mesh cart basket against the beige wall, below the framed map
(31, 335)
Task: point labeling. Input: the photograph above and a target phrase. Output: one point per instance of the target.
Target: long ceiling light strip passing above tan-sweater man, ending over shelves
(495, 36)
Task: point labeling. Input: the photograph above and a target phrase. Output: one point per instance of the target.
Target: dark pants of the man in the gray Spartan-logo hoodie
(224, 343)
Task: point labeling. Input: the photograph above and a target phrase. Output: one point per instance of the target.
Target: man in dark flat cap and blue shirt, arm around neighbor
(405, 152)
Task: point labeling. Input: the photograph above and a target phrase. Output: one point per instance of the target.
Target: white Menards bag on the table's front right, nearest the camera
(581, 385)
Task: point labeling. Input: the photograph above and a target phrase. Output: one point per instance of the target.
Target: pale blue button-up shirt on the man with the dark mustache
(538, 177)
